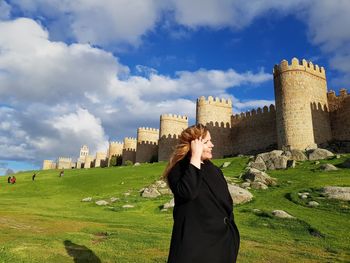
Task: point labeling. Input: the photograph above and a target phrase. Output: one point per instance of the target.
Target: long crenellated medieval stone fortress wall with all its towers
(305, 115)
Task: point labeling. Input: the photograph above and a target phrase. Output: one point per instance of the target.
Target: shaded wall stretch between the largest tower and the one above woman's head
(254, 131)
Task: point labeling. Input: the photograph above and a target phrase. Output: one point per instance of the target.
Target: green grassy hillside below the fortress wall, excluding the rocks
(45, 220)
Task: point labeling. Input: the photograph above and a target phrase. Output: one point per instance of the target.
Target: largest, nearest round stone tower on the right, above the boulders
(302, 116)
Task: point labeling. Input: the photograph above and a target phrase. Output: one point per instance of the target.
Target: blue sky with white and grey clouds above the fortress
(76, 72)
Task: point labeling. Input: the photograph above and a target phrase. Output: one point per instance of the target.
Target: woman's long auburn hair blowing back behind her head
(183, 148)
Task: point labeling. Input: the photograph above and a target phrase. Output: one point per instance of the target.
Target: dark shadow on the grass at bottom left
(80, 254)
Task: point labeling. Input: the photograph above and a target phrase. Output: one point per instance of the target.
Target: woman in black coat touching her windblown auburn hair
(204, 229)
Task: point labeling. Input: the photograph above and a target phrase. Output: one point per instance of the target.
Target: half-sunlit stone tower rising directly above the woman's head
(216, 115)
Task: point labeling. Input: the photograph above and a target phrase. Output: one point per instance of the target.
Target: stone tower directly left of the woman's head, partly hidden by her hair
(171, 127)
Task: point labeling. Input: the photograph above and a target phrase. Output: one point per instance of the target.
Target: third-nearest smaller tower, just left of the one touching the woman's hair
(147, 145)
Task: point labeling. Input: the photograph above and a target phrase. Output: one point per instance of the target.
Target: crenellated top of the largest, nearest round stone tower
(296, 65)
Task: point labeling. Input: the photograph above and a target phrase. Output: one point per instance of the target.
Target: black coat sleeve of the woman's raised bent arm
(185, 180)
